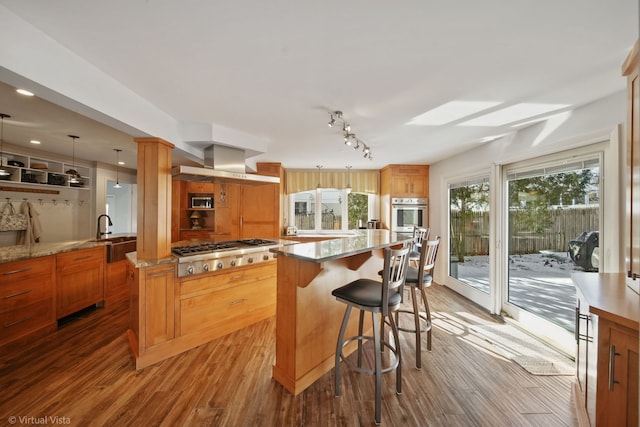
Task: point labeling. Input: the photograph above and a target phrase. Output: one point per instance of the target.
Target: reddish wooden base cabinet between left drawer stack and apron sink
(79, 280)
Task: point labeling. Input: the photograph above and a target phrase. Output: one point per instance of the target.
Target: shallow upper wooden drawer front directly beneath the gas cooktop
(238, 276)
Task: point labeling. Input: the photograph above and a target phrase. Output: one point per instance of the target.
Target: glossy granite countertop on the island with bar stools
(327, 250)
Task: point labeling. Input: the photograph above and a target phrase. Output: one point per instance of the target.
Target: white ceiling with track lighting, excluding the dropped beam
(274, 70)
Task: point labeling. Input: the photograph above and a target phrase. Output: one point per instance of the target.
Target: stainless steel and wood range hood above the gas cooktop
(222, 165)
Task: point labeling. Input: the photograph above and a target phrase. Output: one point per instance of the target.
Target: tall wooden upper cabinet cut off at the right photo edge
(632, 240)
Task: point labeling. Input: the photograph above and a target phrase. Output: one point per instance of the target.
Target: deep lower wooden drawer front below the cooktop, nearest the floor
(228, 310)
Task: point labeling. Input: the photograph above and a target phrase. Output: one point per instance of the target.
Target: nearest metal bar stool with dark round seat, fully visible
(368, 295)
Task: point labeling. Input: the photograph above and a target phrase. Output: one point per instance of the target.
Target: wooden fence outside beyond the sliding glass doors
(564, 225)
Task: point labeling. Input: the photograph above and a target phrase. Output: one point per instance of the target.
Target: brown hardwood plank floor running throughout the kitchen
(84, 372)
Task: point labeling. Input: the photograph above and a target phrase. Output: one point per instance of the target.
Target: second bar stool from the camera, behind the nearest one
(417, 280)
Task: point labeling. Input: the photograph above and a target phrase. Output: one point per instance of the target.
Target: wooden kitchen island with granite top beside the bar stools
(307, 316)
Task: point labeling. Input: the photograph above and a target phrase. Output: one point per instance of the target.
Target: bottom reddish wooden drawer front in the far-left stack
(19, 322)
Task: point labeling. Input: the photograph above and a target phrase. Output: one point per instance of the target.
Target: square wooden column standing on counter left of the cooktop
(154, 199)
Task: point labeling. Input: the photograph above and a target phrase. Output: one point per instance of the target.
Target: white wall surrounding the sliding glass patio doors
(586, 125)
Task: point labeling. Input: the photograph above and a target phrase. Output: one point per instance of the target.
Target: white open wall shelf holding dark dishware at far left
(40, 171)
